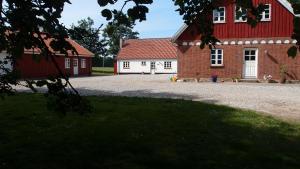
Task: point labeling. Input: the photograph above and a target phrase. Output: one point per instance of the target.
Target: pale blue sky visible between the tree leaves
(162, 20)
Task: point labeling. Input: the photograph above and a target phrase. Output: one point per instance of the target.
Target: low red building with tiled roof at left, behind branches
(74, 65)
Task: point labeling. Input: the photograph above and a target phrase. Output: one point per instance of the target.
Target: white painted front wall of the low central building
(137, 67)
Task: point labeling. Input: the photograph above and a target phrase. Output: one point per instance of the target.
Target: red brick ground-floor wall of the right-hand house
(194, 62)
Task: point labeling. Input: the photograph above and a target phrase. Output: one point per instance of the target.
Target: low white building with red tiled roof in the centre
(148, 56)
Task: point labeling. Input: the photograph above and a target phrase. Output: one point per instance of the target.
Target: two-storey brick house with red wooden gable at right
(244, 52)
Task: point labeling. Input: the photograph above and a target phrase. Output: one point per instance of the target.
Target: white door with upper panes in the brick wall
(250, 63)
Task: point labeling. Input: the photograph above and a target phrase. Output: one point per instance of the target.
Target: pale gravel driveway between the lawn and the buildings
(275, 99)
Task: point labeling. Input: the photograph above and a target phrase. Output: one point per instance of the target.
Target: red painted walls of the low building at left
(29, 68)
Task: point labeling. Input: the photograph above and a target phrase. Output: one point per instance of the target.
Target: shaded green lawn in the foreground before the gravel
(136, 133)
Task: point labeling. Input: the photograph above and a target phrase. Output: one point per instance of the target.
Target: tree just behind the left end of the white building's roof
(114, 32)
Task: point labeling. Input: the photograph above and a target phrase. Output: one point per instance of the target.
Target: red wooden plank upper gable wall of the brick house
(281, 25)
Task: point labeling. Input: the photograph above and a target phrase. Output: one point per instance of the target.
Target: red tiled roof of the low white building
(160, 48)
